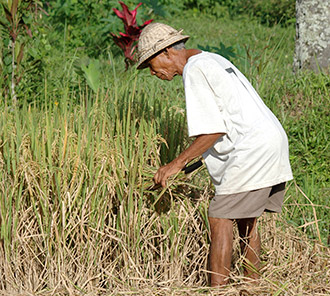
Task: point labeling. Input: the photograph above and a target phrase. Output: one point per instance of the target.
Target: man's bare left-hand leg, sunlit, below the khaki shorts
(221, 250)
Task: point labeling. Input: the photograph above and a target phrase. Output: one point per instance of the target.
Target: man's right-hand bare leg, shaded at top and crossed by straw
(250, 245)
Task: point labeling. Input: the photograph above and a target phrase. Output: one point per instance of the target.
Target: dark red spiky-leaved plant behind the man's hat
(128, 41)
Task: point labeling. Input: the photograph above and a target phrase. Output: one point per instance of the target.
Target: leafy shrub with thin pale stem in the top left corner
(19, 24)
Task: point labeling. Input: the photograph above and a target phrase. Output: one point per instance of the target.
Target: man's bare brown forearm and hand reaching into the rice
(197, 148)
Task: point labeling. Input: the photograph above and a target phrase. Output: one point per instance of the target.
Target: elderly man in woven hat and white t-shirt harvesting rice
(243, 144)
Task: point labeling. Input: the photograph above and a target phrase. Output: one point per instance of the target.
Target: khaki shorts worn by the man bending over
(249, 204)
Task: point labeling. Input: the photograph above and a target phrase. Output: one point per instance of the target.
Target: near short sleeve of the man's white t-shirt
(203, 104)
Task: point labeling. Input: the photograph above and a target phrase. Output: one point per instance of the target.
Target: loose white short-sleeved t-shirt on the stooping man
(254, 152)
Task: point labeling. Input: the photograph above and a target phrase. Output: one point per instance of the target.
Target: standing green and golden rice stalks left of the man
(73, 191)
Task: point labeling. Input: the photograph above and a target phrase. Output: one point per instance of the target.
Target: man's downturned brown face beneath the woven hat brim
(163, 66)
